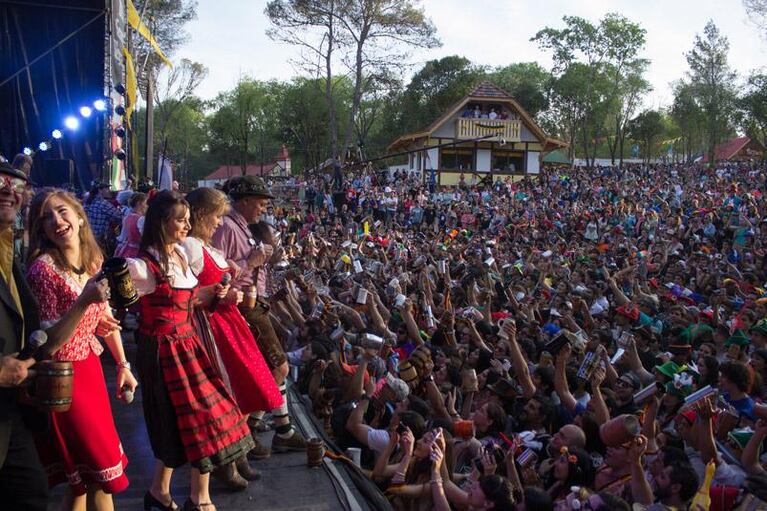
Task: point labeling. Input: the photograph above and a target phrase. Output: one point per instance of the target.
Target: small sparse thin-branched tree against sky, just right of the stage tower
(173, 90)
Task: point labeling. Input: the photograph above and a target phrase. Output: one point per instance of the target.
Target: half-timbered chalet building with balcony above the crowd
(487, 132)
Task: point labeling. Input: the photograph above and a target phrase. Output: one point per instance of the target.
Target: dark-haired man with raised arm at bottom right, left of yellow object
(675, 485)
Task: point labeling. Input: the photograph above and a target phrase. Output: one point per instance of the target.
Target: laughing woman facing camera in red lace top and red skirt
(82, 447)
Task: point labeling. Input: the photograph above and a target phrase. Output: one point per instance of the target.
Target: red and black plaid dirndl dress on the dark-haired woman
(190, 415)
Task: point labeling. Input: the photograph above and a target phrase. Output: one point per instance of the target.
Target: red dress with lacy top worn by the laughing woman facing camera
(82, 446)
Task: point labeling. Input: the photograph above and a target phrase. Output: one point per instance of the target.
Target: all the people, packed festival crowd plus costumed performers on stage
(587, 339)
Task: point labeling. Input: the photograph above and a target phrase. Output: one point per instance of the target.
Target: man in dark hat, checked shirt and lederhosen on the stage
(250, 198)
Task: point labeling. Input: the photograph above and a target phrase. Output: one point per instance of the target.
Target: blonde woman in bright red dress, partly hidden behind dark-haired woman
(246, 371)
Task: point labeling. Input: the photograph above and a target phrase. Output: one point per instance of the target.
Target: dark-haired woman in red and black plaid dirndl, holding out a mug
(190, 415)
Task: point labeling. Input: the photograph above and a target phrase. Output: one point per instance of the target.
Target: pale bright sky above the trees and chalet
(229, 36)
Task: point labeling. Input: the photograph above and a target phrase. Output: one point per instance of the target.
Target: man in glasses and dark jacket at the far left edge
(23, 483)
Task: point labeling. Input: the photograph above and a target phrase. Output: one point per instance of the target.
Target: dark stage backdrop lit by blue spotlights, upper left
(51, 64)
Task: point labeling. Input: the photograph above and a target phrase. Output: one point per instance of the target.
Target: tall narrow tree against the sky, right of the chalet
(712, 83)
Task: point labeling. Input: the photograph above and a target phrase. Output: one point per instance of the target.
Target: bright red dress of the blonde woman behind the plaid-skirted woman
(252, 383)
